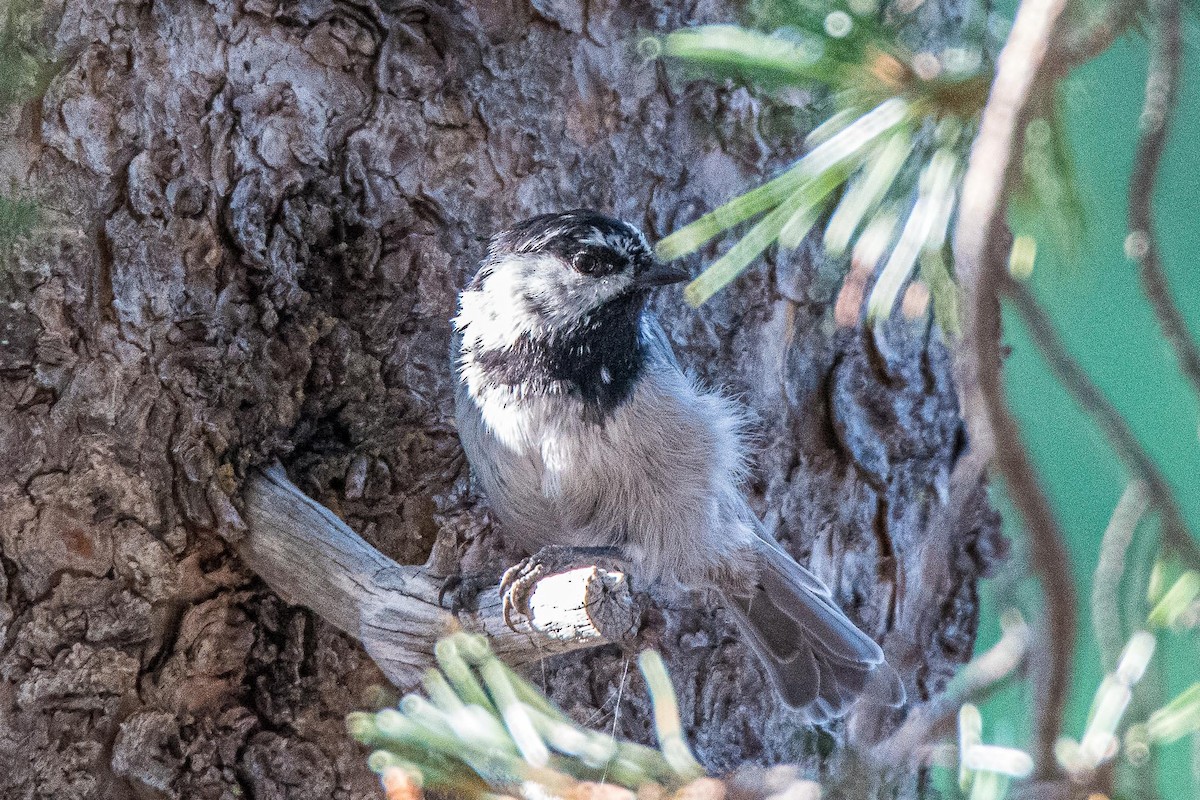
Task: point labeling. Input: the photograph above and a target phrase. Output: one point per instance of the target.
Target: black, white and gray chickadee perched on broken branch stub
(584, 431)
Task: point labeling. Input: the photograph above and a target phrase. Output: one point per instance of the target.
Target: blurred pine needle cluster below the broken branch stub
(484, 730)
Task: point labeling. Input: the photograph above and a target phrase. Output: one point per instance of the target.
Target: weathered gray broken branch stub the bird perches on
(311, 558)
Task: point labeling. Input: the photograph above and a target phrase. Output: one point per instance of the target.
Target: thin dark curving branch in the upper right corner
(1162, 93)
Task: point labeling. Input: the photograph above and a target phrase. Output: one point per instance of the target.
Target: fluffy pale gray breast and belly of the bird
(657, 478)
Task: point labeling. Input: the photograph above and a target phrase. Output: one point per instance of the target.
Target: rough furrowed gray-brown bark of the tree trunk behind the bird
(257, 218)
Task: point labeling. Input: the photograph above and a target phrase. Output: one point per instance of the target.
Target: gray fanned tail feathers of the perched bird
(817, 658)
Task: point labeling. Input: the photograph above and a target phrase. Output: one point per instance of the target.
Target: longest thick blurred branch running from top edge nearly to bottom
(981, 257)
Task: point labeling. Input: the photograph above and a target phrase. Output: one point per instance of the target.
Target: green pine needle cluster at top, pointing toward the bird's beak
(910, 148)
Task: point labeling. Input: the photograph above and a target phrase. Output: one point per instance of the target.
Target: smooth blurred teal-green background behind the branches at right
(1097, 305)
